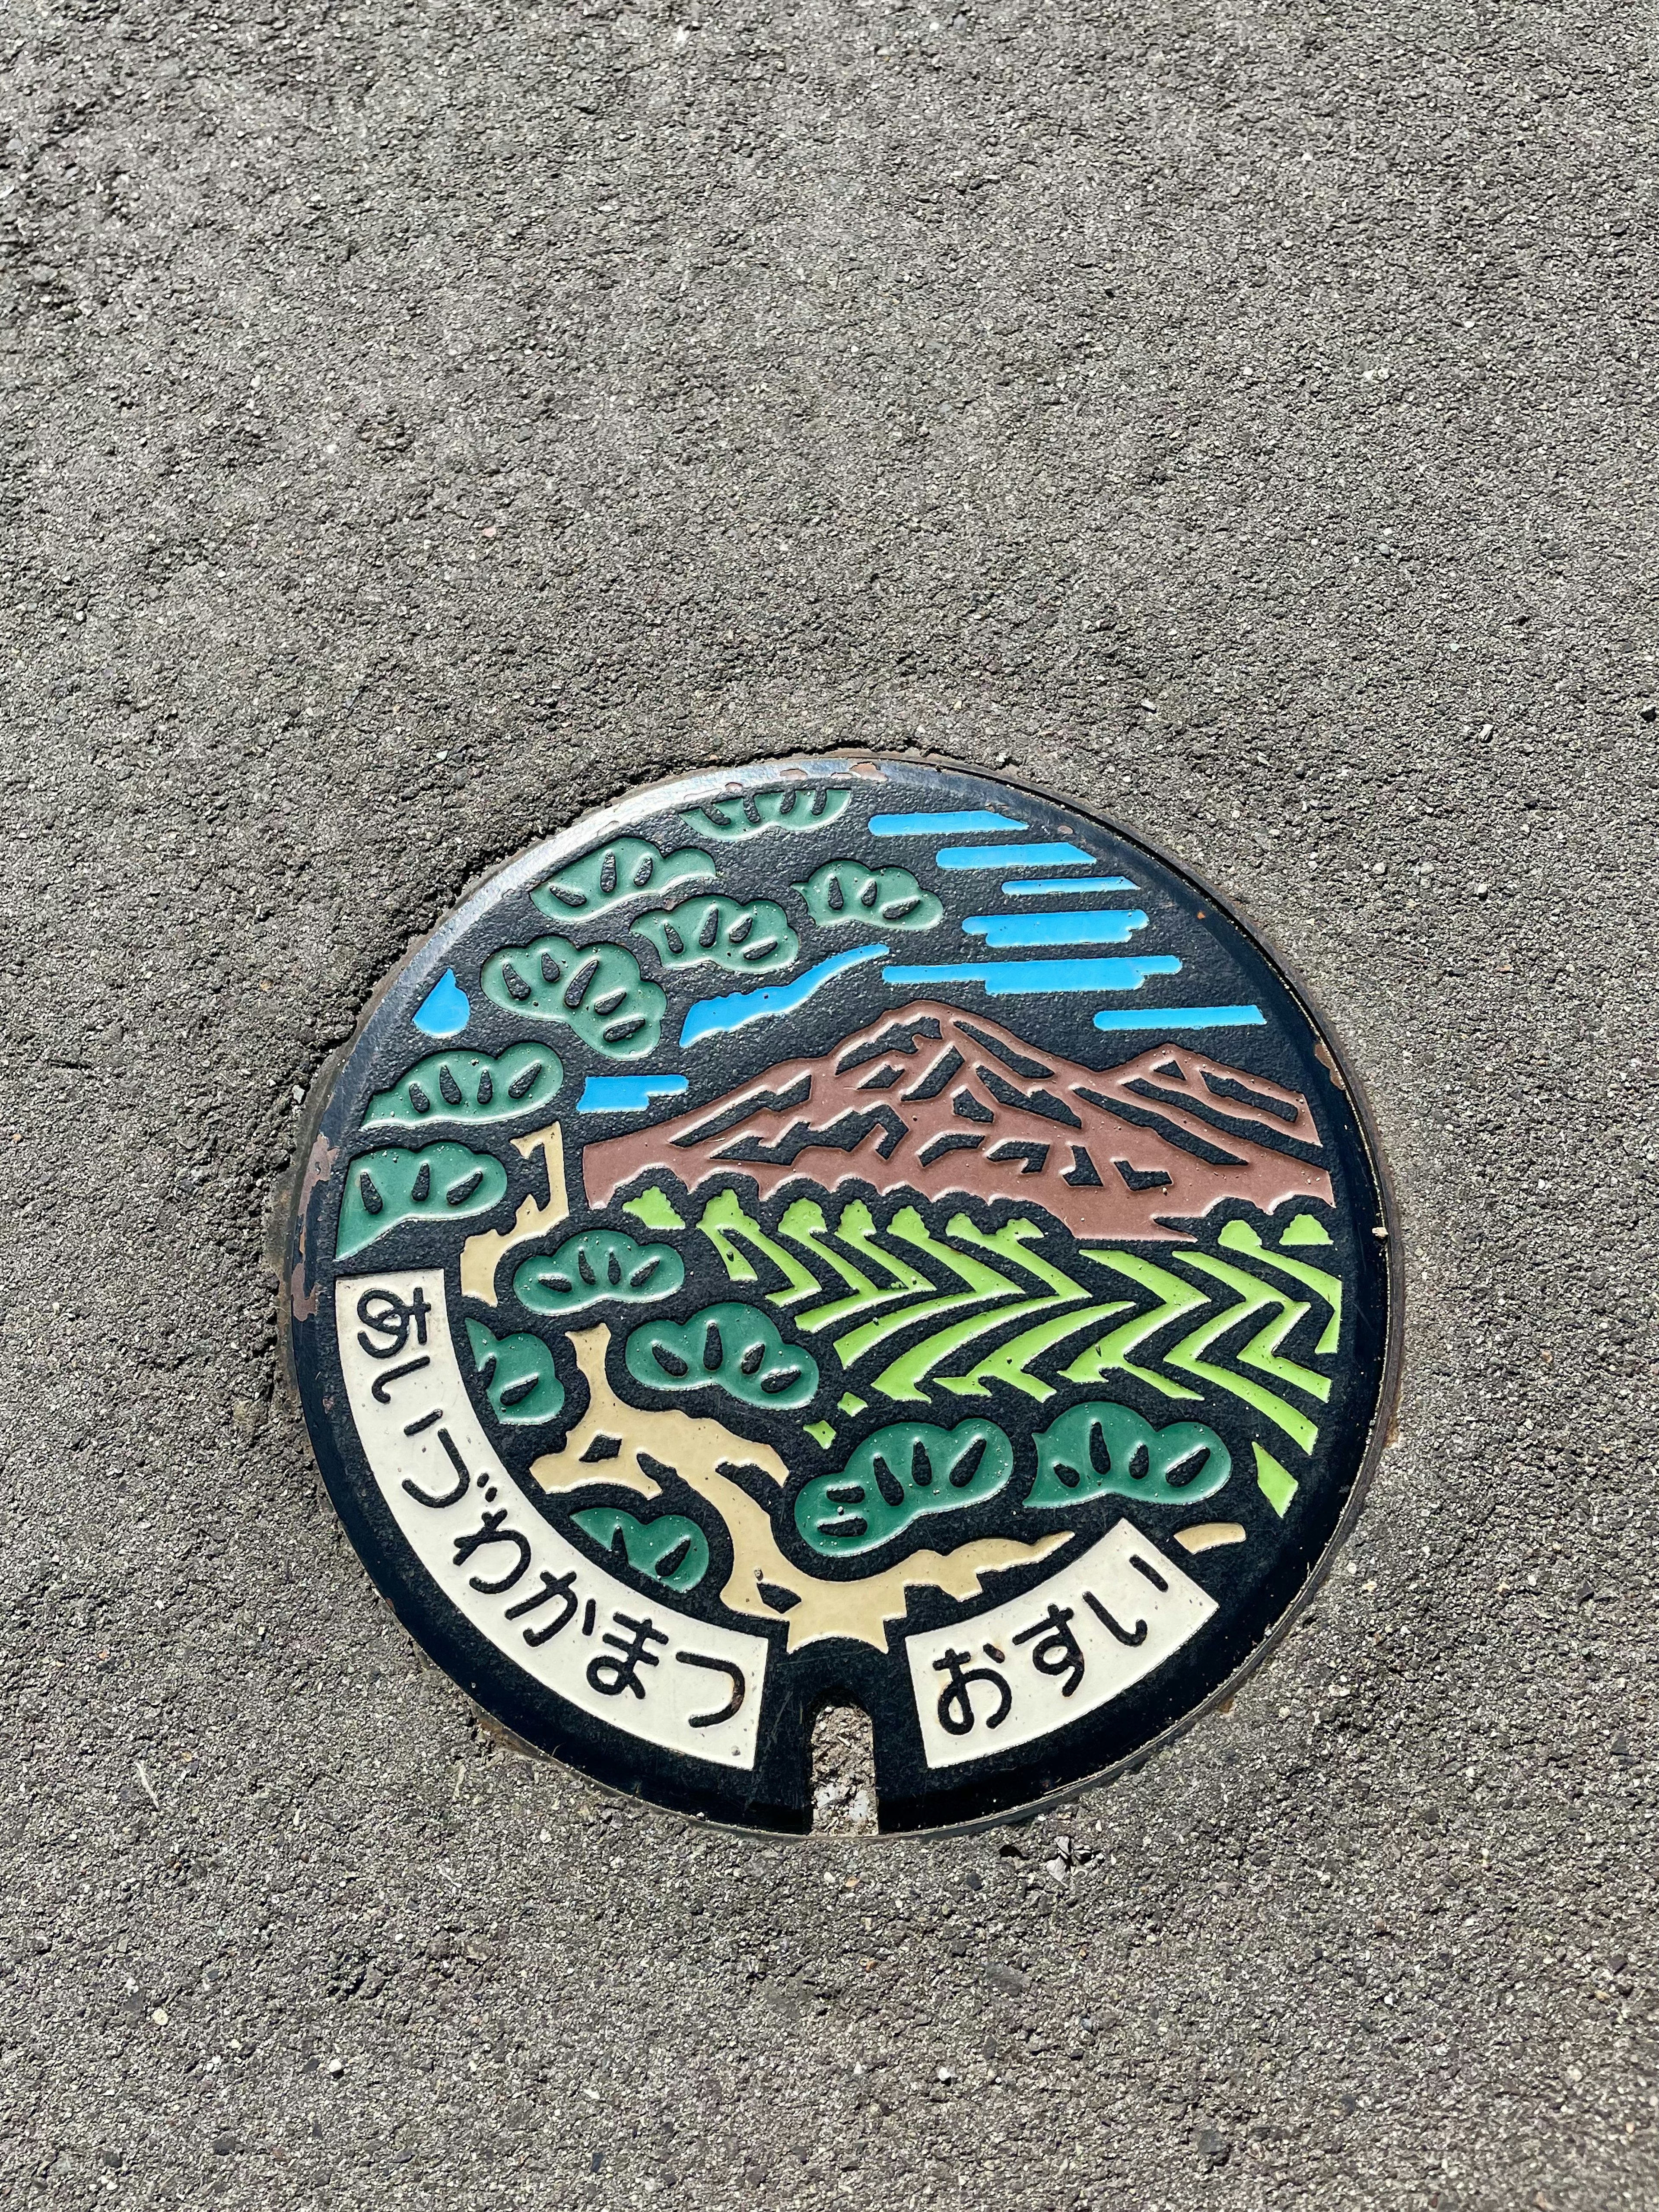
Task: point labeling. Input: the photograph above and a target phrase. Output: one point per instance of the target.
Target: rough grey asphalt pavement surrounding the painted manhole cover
(424, 419)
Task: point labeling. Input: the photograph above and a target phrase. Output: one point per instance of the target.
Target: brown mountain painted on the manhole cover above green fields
(943, 1103)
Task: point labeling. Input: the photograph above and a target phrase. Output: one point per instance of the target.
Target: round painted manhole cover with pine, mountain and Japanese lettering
(842, 1231)
